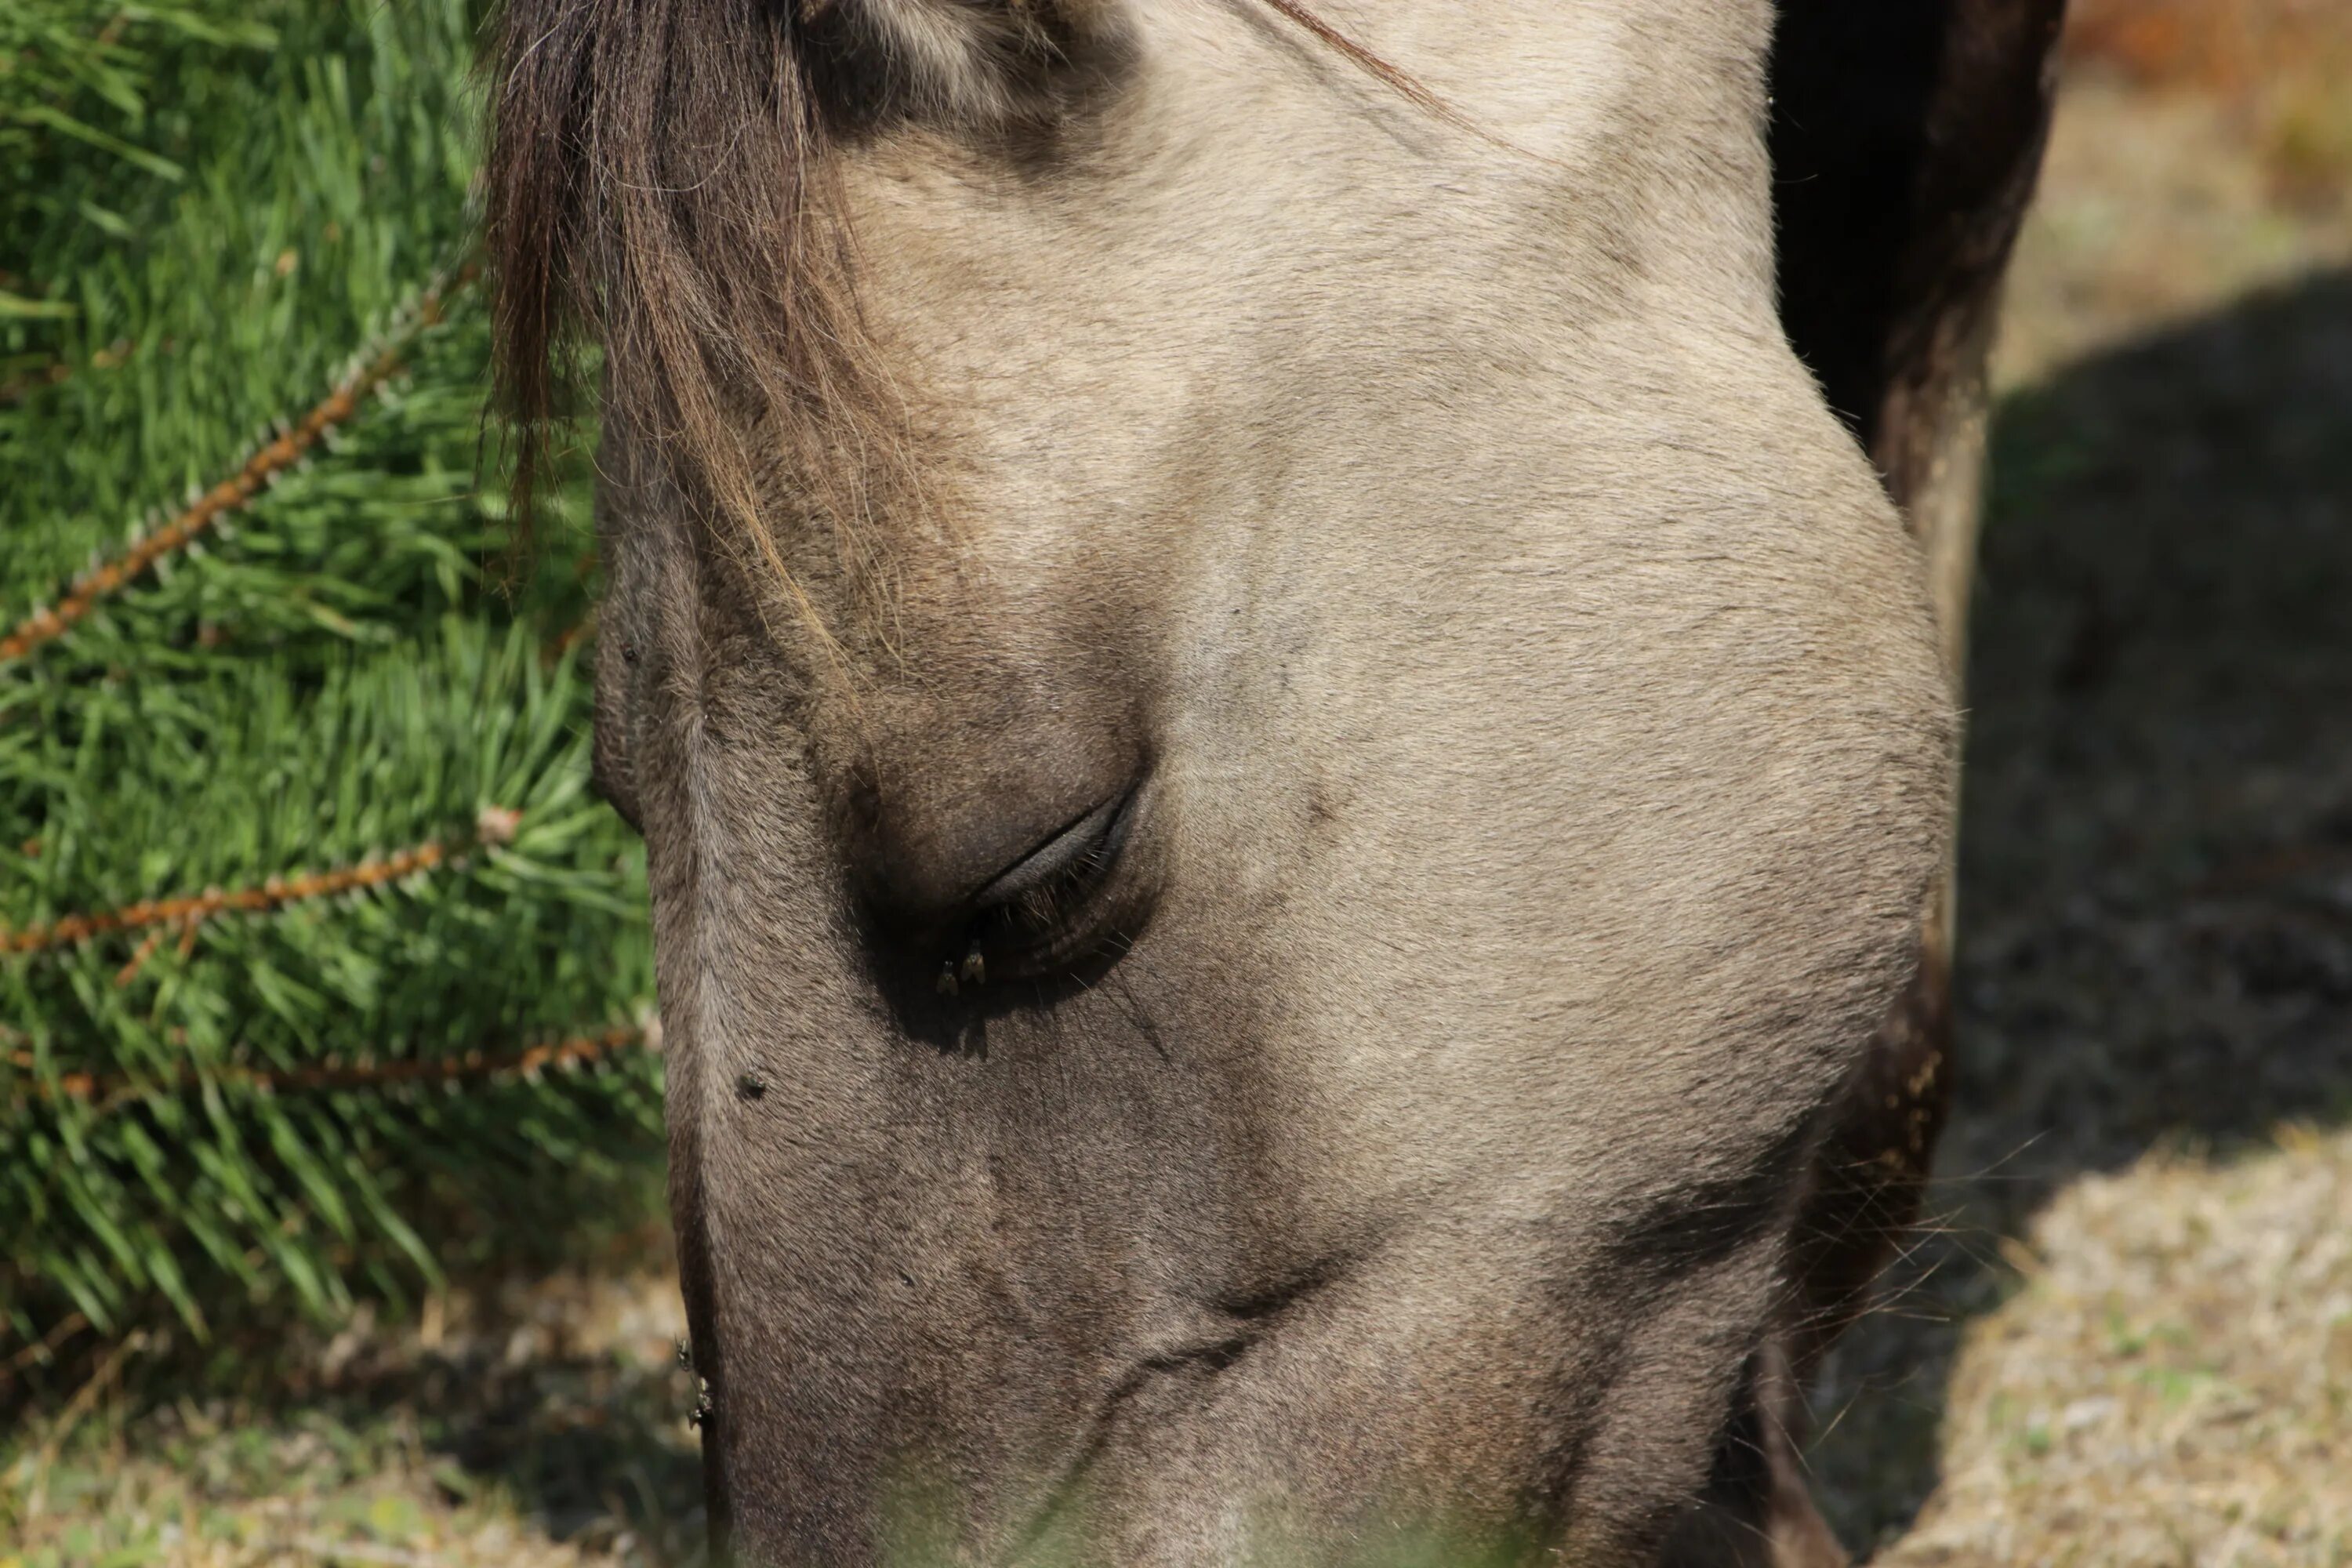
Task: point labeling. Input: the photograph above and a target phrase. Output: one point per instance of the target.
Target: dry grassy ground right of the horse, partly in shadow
(2130, 1341)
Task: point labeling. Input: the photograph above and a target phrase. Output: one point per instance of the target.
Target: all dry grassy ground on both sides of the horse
(2132, 1336)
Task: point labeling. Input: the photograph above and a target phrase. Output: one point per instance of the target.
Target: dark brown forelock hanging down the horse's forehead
(648, 189)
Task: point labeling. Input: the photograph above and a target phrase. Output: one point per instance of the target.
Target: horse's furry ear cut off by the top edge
(963, 62)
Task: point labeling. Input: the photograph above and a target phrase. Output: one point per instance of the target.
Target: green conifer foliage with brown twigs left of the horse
(319, 960)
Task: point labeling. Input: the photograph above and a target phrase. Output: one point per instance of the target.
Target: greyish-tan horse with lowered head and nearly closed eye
(1290, 688)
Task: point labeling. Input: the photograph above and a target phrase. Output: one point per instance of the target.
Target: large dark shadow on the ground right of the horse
(2158, 836)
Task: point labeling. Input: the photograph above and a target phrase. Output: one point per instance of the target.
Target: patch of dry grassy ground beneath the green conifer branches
(544, 1423)
